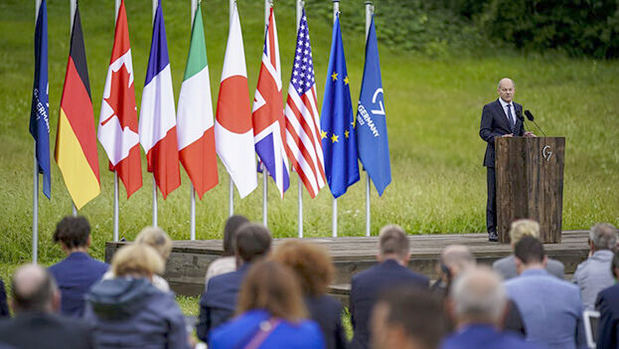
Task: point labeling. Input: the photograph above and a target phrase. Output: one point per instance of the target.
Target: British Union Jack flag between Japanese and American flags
(268, 112)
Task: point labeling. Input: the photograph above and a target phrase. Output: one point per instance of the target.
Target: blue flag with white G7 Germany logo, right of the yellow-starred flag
(371, 123)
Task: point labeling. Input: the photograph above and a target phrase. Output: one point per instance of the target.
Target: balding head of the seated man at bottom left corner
(33, 289)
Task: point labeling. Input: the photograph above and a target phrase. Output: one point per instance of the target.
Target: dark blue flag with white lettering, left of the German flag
(39, 112)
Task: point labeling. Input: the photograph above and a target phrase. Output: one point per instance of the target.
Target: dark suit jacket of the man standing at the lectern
(494, 123)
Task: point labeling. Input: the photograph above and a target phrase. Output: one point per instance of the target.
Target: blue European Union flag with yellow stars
(337, 124)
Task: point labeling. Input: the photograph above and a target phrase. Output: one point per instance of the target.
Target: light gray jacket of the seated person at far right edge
(593, 275)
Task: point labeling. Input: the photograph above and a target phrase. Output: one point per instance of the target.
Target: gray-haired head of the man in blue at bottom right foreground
(479, 296)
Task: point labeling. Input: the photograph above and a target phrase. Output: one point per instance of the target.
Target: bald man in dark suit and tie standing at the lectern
(500, 118)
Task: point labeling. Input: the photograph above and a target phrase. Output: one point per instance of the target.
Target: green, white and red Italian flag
(196, 136)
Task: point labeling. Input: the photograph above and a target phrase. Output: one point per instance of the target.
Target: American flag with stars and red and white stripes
(303, 144)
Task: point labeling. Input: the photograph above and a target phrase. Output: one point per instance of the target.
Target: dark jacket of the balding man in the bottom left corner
(42, 330)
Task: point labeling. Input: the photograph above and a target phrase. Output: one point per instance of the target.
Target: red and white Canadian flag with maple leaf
(118, 122)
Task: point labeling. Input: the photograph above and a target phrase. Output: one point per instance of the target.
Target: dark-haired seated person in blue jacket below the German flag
(78, 272)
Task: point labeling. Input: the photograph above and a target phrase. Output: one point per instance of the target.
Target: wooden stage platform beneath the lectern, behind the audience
(189, 259)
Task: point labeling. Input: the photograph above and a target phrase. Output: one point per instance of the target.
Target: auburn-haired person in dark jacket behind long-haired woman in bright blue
(314, 270)
